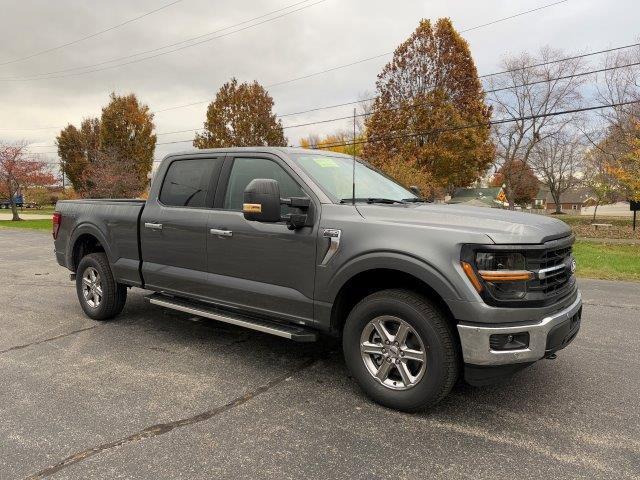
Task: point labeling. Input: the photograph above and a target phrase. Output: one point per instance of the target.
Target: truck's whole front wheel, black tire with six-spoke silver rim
(401, 350)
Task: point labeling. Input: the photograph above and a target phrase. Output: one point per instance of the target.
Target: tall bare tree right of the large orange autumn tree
(531, 88)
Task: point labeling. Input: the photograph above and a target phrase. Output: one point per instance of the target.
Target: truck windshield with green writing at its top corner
(334, 176)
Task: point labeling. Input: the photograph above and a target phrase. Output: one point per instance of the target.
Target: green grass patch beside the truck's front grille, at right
(609, 262)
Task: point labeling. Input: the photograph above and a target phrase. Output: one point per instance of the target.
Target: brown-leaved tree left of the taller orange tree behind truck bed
(77, 148)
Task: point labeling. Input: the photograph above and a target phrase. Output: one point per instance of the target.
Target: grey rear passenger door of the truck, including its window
(173, 230)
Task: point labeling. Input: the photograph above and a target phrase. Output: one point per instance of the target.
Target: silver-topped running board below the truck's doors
(292, 332)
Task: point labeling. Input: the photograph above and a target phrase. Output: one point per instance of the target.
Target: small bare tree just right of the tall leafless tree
(556, 160)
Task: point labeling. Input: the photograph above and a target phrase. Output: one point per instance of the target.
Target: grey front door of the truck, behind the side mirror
(264, 267)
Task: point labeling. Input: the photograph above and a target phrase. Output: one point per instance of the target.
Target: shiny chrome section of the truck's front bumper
(475, 339)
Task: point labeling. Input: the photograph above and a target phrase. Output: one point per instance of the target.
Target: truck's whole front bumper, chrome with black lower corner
(550, 334)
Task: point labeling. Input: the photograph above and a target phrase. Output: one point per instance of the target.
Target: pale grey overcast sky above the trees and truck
(319, 37)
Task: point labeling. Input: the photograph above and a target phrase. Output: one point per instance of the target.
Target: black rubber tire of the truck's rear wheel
(114, 295)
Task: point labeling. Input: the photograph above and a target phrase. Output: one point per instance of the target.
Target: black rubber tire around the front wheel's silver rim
(439, 346)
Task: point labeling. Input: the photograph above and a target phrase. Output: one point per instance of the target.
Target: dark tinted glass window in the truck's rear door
(186, 183)
